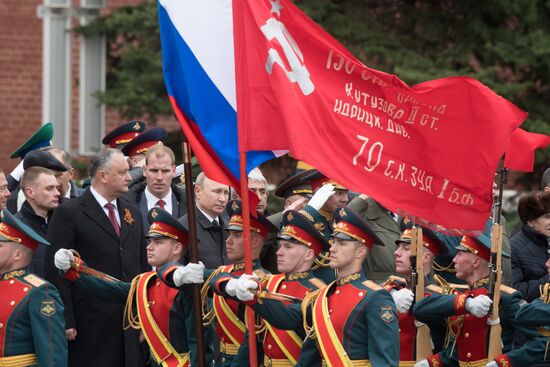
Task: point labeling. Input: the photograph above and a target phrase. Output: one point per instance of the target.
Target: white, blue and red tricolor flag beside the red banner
(199, 71)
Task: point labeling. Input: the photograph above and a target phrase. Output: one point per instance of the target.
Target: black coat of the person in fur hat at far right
(529, 254)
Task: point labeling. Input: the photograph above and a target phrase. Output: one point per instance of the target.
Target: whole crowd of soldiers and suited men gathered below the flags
(100, 275)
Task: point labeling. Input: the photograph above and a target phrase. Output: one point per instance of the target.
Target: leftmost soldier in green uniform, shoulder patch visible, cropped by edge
(32, 327)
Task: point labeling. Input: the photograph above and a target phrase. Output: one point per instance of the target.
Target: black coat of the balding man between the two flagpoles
(211, 241)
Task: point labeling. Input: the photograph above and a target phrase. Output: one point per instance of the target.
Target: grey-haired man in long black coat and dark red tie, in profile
(107, 231)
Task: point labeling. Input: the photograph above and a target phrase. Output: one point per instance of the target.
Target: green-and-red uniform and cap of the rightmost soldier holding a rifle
(471, 333)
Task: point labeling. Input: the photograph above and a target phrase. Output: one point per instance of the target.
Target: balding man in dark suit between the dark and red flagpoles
(211, 199)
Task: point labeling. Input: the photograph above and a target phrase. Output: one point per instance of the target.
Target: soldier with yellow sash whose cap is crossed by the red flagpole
(227, 311)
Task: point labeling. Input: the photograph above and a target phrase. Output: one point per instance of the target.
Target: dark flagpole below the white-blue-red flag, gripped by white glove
(193, 249)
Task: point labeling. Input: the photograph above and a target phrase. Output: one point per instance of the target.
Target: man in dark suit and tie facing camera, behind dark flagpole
(157, 190)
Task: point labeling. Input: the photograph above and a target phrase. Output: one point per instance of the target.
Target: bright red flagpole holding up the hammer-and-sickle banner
(251, 320)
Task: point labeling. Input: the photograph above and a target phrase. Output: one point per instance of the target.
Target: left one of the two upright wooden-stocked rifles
(423, 339)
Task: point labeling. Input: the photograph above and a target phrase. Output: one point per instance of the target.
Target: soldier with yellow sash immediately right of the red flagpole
(281, 339)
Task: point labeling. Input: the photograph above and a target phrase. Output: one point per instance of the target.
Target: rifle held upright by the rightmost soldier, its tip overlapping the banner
(495, 278)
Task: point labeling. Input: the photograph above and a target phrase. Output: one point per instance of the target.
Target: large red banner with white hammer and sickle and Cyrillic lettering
(430, 150)
